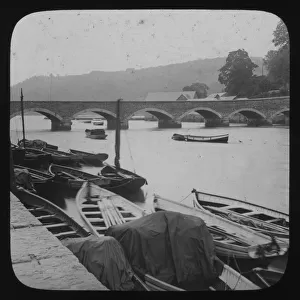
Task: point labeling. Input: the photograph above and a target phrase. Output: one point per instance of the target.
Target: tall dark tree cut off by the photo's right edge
(277, 62)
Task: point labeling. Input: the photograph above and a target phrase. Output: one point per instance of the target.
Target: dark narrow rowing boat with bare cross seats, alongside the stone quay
(51, 216)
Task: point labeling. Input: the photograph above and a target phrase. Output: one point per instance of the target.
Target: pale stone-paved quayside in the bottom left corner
(39, 260)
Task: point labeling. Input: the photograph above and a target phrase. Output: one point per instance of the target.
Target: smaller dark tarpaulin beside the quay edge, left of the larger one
(105, 259)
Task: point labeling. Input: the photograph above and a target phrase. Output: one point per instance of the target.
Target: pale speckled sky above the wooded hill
(74, 42)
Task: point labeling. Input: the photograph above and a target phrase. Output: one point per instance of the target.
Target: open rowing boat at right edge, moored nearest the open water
(258, 218)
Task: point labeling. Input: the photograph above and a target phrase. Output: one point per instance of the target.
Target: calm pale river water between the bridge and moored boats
(253, 166)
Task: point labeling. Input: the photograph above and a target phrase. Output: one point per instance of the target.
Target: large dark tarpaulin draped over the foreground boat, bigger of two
(173, 247)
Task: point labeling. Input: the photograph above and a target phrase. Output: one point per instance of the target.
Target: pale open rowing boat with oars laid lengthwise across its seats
(102, 208)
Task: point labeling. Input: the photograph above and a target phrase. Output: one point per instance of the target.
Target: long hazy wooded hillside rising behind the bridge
(128, 85)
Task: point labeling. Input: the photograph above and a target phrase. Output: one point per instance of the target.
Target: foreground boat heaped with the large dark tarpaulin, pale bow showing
(175, 252)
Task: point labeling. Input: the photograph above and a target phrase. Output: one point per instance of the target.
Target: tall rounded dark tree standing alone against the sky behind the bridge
(237, 72)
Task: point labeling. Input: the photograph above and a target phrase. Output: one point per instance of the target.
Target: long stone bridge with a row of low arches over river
(258, 111)
